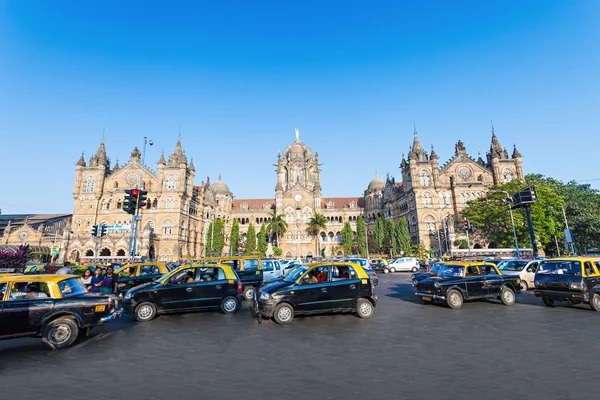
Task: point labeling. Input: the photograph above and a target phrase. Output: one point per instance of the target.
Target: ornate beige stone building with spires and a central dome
(176, 220)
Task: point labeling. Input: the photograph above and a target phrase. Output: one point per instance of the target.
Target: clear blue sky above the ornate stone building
(239, 76)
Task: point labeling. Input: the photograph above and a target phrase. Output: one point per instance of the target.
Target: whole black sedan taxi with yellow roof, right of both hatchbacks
(459, 281)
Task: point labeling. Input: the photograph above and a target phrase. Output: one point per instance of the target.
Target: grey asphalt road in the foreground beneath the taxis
(408, 350)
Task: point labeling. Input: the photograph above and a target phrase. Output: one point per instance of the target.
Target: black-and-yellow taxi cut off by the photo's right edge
(570, 279)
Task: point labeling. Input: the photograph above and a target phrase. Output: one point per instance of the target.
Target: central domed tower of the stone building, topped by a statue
(298, 195)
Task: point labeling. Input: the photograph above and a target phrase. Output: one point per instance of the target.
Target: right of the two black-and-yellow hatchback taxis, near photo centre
(318, 288)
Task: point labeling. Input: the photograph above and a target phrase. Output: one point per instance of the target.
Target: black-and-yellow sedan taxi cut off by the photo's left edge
(57, 308)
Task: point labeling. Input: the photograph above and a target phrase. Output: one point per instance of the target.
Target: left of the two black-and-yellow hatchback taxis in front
(187, 288)
